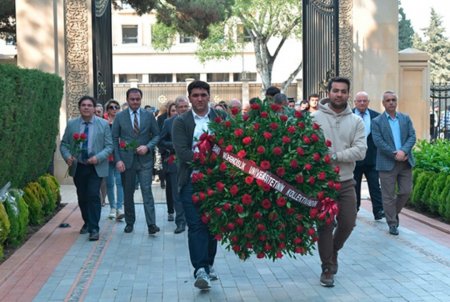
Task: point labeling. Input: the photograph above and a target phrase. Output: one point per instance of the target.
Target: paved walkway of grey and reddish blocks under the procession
(58, 264)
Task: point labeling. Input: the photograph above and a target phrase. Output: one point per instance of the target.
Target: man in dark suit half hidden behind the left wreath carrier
(168, 153)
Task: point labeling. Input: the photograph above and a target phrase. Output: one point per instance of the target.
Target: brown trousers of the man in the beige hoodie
(331, 242)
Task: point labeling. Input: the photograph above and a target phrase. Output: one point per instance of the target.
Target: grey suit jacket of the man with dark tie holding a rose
(122, 129)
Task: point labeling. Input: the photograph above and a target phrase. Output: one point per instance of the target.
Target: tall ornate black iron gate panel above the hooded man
(320, 44)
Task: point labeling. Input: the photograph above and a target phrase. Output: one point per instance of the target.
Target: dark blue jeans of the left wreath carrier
(202, 244)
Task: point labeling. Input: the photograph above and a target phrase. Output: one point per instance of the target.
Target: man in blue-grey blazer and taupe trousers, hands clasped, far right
(394, 136)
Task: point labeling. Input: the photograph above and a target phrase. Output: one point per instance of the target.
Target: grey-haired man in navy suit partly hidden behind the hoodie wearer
(366, 166)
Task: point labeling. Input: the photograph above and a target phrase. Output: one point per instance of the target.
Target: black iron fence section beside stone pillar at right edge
(440, 111)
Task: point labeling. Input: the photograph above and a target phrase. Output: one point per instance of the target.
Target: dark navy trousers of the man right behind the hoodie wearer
(373, 183)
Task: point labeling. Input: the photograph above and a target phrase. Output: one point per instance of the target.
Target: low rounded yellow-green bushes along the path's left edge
(19, 209)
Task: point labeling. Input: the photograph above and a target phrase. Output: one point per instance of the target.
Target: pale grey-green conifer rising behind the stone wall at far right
(437, 45)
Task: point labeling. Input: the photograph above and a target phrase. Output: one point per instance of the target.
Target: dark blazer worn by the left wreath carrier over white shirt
(182, 139)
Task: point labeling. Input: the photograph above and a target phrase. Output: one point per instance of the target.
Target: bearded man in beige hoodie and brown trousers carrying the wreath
(347, 135)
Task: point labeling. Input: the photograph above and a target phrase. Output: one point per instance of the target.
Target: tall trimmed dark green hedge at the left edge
(27, 147)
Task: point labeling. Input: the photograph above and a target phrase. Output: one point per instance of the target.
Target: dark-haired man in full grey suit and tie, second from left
(135, 134)
